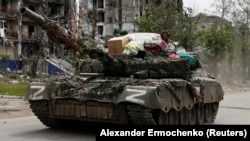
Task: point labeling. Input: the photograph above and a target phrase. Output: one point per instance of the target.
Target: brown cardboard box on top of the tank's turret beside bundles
(116, 44)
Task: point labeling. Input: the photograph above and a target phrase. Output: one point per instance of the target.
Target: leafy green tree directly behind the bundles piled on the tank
(168, 17)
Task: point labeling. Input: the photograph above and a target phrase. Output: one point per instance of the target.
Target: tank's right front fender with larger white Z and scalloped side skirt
(159, 97)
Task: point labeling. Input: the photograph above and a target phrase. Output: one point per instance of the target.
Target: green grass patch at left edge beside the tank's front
(15, 89)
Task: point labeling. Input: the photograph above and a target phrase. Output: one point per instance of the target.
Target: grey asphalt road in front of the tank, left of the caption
(31, 129)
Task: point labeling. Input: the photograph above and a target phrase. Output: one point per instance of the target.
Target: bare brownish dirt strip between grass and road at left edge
(14, 107)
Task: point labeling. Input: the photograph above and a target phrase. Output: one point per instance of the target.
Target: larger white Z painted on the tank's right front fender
(134, 97)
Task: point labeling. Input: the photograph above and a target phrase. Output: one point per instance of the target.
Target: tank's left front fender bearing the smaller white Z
(37, 91)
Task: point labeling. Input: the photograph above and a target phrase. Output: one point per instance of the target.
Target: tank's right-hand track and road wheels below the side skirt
(199, 114)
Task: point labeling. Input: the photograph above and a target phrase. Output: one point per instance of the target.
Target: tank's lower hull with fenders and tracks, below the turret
(119, 100)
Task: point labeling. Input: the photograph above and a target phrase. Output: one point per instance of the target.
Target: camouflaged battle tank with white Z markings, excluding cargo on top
(121, 89)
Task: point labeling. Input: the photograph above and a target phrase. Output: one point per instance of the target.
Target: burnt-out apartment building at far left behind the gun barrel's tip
(21, 38)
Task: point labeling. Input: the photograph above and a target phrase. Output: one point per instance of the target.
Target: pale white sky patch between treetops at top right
(198, 6)
